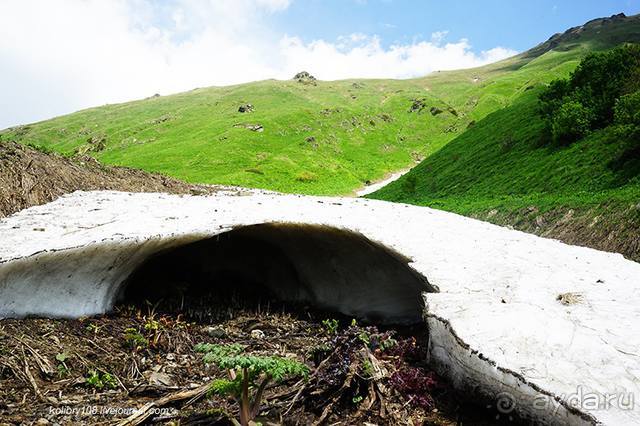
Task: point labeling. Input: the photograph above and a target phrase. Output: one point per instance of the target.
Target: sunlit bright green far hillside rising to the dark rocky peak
(325, 138)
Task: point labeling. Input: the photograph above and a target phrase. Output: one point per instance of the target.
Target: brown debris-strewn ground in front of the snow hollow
(101, 370)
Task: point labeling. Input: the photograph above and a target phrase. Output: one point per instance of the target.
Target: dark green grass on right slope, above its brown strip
(504, 160)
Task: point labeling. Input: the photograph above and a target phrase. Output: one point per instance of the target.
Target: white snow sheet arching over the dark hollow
(495, 323)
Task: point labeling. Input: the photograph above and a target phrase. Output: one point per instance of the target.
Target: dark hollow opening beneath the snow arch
(323, 266)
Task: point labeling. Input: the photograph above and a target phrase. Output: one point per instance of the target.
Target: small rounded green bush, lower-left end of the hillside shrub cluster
(571, 122)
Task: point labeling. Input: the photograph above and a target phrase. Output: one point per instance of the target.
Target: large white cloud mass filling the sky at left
(57, 57)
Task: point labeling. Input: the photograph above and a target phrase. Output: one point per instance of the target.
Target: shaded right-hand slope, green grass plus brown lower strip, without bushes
(507, 170)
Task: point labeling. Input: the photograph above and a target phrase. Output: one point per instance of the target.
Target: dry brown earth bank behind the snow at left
(31, 177)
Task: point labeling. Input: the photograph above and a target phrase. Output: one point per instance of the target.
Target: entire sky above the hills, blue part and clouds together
(60, 56)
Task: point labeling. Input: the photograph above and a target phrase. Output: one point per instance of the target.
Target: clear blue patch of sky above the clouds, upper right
(516, 24)
